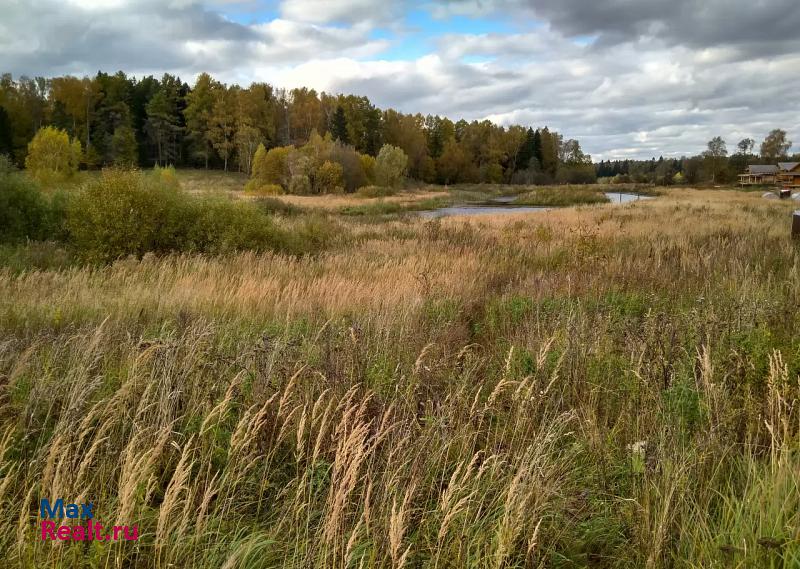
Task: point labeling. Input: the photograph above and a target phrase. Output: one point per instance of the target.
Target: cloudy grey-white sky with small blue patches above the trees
(628, 78)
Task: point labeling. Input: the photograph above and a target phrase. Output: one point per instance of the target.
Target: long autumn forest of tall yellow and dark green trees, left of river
(121, 120)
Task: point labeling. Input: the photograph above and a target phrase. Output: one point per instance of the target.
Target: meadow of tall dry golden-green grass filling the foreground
(598, 386)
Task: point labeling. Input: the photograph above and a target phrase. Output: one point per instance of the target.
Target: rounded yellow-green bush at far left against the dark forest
(51, 155)
